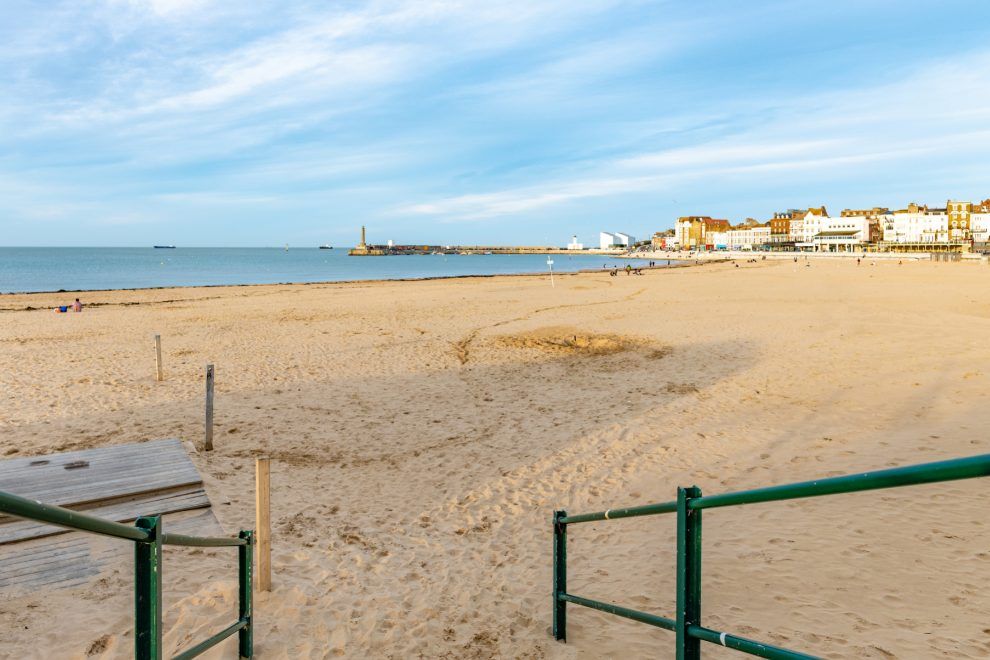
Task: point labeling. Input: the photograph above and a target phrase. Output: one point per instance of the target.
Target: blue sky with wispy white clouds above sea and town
(208, 123)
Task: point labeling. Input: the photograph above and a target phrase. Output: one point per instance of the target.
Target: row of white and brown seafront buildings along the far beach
(956, 227)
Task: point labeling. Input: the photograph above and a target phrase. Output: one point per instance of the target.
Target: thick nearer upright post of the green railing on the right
(688, 574)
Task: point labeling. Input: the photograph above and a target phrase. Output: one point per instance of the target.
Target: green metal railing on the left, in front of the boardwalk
(148, 539)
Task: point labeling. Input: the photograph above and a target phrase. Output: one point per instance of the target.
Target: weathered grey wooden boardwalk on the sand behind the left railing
(119, 483)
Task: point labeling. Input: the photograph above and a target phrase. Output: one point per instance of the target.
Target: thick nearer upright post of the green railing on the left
(148, 590)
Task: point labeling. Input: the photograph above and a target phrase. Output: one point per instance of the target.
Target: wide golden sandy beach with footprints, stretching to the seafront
(422, 433)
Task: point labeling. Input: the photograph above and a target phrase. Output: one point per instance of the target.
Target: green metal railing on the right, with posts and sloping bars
(687, 624)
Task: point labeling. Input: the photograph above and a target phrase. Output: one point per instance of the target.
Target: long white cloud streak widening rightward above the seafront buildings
(822, 134)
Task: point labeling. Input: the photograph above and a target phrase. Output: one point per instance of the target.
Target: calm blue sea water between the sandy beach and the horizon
(52, 269)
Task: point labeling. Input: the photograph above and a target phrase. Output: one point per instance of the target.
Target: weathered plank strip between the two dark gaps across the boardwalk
(125, 511)
